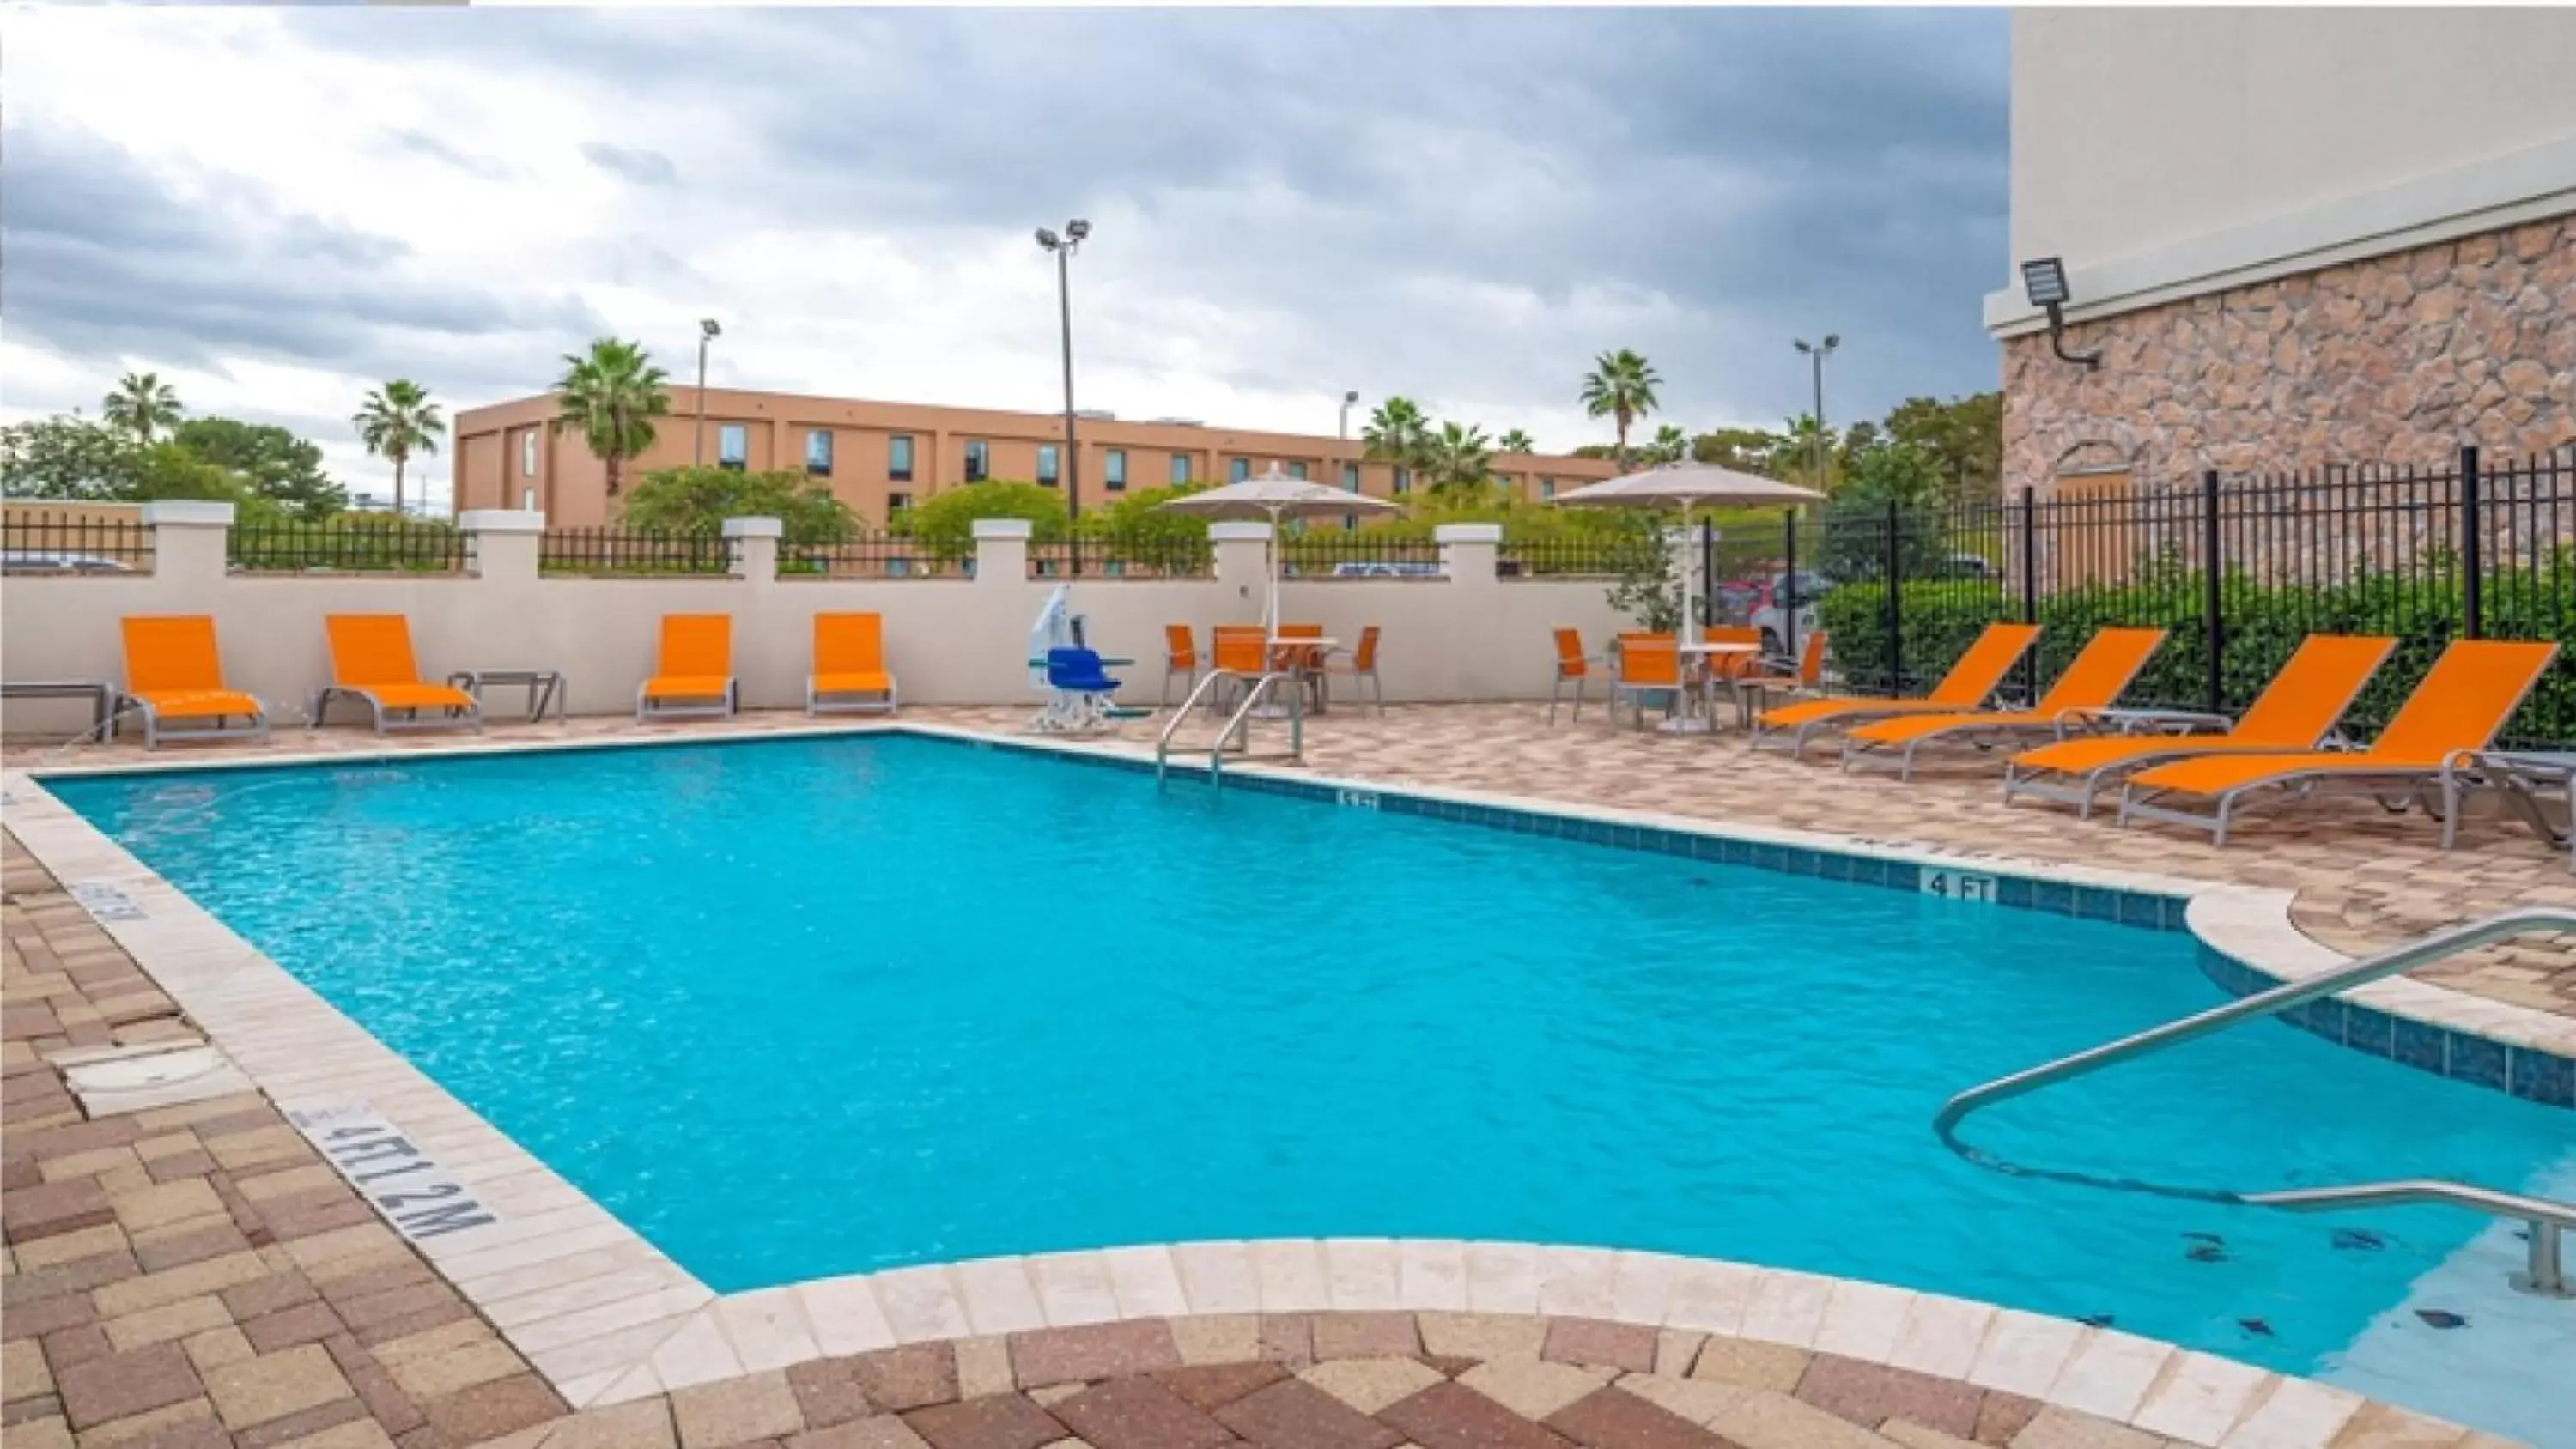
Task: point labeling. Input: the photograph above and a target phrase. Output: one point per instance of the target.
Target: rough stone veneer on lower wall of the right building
(2397, 359)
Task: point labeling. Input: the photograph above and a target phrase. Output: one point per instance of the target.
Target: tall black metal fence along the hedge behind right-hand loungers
(2237, 570)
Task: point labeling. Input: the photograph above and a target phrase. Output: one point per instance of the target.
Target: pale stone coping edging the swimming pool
(609, 1319)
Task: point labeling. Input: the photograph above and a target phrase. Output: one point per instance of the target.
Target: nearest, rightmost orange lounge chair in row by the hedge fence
(2436, 735)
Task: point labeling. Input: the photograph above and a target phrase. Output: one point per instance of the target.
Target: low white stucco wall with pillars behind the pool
(949, 642)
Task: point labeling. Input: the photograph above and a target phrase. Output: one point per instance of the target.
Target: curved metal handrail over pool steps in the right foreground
(2546, 1219)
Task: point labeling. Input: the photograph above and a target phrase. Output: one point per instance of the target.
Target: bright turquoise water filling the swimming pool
(818, 1008)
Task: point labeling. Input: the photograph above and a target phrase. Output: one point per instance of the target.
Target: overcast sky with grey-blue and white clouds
(279, 210)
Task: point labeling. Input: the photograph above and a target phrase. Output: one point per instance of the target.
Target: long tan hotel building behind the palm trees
(882, 457)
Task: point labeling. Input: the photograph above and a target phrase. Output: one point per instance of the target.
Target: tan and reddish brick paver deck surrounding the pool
(197, 1278)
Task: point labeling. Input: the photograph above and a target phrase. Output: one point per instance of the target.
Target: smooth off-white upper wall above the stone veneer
(2163, 148)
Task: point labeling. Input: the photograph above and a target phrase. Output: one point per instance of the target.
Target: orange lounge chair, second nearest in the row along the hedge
(2294, 712)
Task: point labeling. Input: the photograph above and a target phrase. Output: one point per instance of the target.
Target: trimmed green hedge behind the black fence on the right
(2263, 627)
